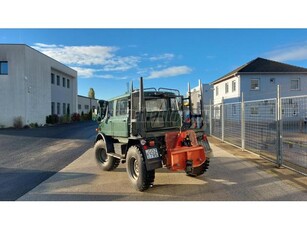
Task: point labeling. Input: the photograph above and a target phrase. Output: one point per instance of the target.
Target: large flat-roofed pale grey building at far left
(33, 86)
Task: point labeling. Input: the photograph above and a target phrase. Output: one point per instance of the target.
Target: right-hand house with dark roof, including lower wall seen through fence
(259, 83)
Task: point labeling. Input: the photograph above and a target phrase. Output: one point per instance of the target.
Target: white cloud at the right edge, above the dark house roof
(291, 53)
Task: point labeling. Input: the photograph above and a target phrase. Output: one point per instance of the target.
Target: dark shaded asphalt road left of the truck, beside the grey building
(30, 156)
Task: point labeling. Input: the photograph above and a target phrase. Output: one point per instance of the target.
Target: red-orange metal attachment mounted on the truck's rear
(178, 155)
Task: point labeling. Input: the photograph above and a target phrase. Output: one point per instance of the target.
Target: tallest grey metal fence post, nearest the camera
(279, 156)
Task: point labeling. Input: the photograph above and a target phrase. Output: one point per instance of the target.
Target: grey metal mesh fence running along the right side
(274, 128)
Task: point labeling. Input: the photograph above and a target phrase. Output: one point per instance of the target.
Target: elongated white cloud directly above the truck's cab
(170, 72)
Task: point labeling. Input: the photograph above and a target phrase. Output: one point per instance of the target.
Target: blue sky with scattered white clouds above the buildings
(108, 59)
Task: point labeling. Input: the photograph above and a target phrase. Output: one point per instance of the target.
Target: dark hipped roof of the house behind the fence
(261, 65)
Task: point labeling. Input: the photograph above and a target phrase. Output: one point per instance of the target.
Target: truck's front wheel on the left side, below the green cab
(105, 162)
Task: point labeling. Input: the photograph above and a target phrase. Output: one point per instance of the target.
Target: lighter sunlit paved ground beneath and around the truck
(233, 176)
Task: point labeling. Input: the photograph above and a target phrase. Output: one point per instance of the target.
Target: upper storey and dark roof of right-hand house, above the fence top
(258, 79)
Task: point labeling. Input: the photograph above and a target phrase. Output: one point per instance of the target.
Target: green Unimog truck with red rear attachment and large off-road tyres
(147, 129)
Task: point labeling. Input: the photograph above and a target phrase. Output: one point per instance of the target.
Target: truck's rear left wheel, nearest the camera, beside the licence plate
(137, 173)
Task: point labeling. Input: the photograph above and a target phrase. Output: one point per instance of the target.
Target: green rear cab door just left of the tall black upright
(120, 118)
